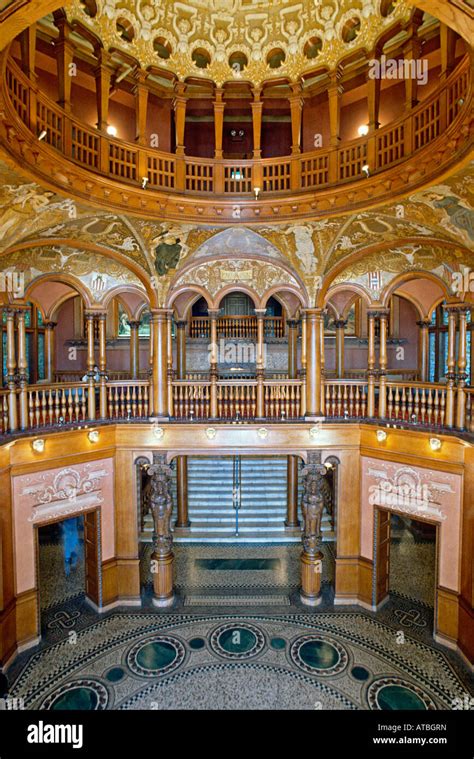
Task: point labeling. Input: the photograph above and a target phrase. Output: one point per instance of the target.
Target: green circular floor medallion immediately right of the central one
(319, 656)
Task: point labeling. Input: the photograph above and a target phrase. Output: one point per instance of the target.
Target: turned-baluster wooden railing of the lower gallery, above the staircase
(256, 398)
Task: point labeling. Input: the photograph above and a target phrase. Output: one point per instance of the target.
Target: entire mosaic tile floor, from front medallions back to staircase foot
(213, 653)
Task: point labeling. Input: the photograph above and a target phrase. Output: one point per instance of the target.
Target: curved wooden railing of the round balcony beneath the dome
(129, 162)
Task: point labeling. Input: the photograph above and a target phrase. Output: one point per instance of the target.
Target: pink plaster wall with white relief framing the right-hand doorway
(439, 499)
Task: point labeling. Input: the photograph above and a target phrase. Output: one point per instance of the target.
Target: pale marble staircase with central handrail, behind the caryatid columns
(261, 518)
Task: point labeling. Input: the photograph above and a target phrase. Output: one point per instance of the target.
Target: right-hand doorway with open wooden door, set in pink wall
(405, 559)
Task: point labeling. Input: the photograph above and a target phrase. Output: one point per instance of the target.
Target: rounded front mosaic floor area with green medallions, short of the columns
(344, 660)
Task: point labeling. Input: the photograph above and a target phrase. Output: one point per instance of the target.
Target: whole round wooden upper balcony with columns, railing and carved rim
(64, 152)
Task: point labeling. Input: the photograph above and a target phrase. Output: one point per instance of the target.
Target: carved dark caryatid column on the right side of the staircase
(312, 506)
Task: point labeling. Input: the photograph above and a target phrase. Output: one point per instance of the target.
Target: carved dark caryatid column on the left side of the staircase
(162, 558)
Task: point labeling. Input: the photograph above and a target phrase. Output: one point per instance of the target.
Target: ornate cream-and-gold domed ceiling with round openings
(249, 40)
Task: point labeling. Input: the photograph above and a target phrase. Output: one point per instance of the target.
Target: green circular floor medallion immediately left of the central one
(156, 656)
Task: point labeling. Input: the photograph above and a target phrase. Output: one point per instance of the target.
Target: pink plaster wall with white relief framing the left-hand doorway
(44, 497)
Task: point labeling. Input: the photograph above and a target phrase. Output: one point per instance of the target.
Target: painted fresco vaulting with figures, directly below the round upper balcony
(433, 230)
